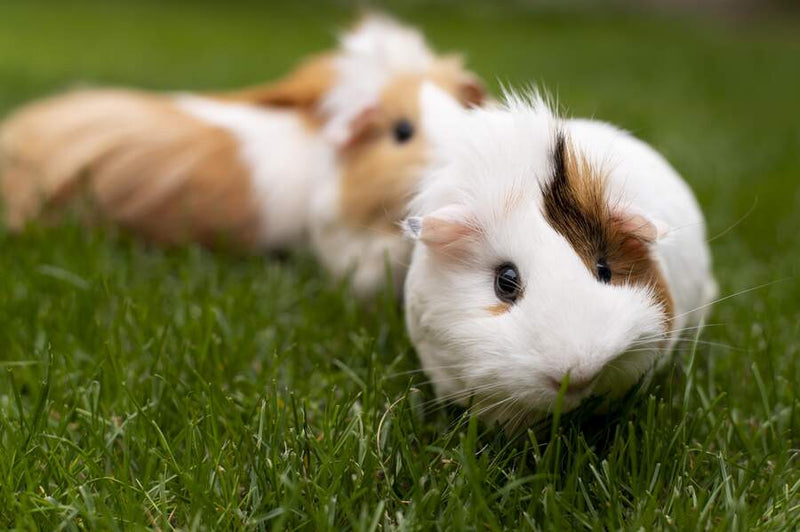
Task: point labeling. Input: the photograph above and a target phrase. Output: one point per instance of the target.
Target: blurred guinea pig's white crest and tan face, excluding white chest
(373, 115)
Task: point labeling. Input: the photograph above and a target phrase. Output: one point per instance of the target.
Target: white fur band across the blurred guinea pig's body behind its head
(287, 161)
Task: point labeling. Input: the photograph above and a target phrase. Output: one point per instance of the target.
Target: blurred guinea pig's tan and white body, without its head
(173, 168)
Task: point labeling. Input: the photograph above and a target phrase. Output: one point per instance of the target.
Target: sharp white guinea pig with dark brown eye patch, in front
(551, 256)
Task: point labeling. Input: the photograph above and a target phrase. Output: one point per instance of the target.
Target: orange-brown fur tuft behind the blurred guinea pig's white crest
(303, 87)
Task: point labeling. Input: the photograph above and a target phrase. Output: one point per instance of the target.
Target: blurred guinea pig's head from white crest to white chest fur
(372, 115)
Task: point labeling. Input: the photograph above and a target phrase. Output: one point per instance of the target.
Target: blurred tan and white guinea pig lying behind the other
(241, 166)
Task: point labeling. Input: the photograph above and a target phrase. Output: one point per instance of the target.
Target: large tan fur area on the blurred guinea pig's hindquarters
(139, 160)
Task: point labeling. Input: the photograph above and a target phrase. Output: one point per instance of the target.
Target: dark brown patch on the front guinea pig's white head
(575, 204)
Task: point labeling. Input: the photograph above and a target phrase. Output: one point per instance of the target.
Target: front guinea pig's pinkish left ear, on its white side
(448, 230)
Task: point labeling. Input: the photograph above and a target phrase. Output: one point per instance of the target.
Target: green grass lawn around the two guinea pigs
(189, 389)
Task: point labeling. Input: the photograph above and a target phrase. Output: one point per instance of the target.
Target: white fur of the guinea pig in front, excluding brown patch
(566, 321)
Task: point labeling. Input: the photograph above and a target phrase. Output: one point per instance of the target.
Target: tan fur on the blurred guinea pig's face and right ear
(378, 174)
